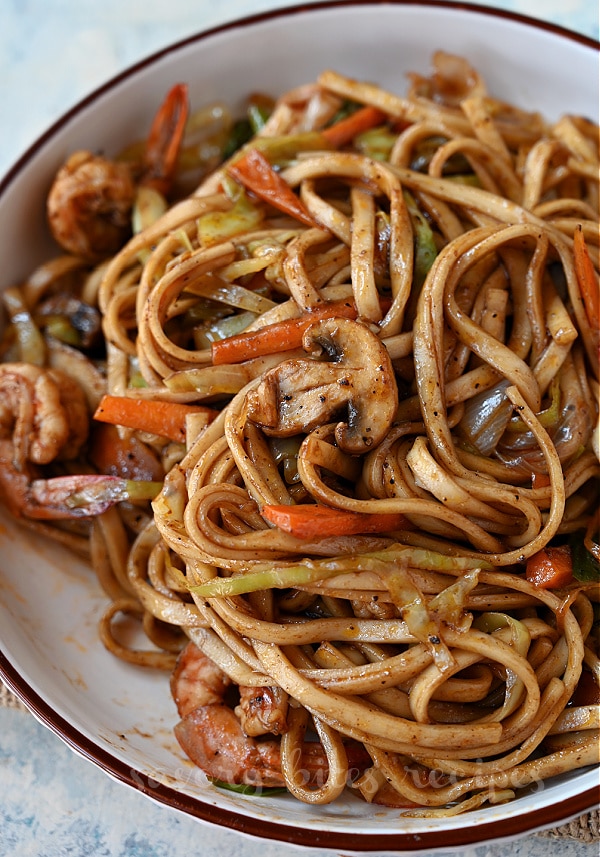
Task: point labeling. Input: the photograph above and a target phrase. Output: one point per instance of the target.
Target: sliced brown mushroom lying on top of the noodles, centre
(301, 394)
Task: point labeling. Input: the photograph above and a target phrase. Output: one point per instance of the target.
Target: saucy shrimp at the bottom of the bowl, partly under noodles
(212, 736)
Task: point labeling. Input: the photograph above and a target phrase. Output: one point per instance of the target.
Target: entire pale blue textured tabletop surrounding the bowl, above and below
(53, 802)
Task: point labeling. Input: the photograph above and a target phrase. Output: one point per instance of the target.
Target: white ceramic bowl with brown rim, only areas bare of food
(119, 716)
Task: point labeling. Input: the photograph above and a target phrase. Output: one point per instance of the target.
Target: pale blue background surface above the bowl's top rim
(95, 40)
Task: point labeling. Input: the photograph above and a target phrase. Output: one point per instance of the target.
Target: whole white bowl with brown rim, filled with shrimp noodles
(300, 426)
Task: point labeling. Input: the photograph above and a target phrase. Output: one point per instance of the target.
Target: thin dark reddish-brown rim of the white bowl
(543, 817)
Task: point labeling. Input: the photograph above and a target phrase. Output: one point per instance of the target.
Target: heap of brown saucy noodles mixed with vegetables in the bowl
(414, 347)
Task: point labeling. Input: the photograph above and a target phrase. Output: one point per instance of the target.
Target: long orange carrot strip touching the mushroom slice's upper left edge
(279, 336)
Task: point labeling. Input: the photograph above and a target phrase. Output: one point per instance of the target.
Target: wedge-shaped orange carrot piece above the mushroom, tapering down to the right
(255, 172)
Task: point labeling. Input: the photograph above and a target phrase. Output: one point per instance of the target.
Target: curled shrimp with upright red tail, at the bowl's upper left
(91, 200)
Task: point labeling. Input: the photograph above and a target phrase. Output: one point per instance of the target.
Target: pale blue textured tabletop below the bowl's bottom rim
(54, 803)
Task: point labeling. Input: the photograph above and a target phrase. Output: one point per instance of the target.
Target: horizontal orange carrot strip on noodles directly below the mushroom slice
(311, 521)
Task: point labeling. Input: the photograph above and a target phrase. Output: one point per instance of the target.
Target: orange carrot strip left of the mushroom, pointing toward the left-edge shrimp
(166, 419)
